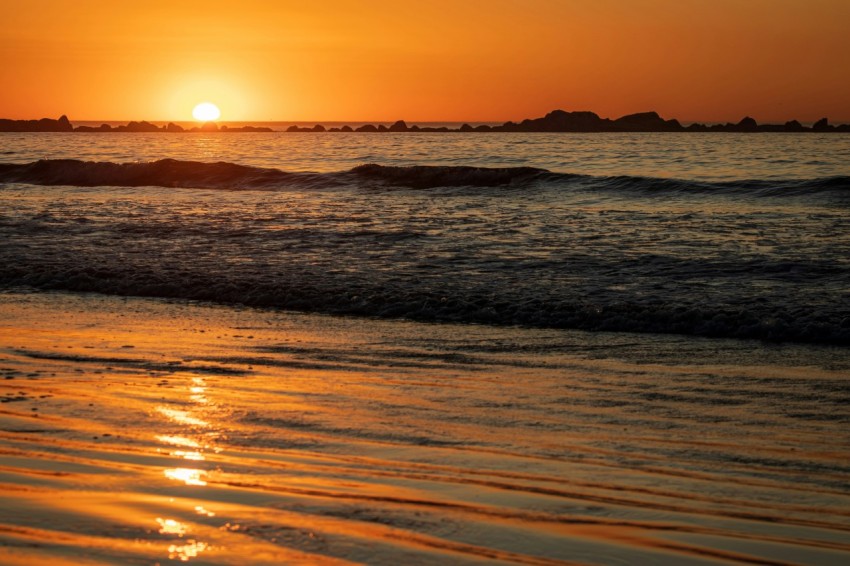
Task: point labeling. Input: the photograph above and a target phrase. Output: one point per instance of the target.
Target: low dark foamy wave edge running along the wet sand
(310, 292)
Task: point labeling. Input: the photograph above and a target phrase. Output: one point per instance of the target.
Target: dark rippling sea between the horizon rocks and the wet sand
(722, 235)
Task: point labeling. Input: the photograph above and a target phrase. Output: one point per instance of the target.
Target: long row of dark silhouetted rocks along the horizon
(555, 121)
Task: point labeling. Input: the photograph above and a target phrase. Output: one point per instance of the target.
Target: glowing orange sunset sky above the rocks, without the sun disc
(706, 60)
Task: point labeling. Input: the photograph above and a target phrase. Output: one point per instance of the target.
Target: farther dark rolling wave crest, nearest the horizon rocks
(232, 176)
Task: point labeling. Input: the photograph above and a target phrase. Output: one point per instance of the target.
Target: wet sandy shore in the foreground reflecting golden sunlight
(139, 431)
